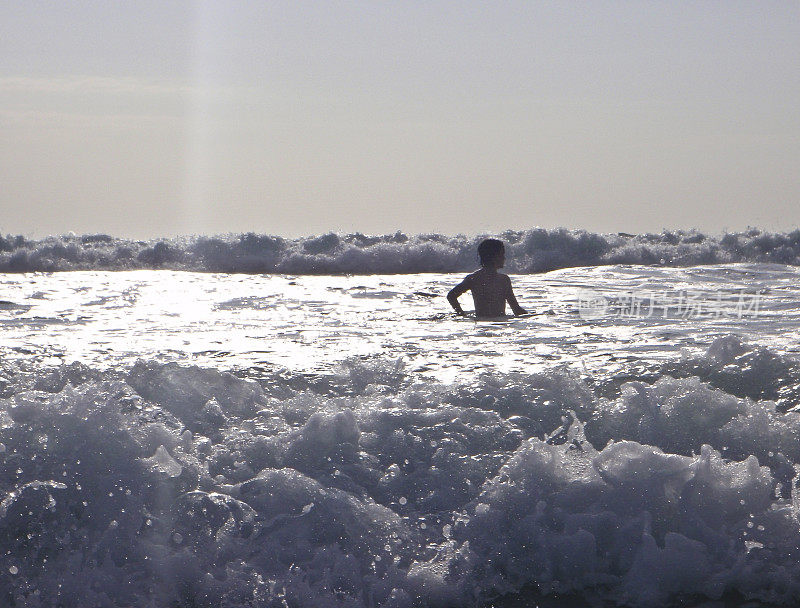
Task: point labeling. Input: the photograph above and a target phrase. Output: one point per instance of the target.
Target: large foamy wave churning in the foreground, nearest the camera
(162, 484)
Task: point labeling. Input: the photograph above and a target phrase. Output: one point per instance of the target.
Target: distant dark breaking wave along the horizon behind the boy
(536, 250)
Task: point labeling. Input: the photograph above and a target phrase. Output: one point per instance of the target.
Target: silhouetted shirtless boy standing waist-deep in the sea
(490, 289)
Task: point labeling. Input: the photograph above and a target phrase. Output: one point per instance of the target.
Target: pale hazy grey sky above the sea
(149, 119)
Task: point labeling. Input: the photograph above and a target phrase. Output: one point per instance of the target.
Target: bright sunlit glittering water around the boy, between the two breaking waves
(309, 323)
